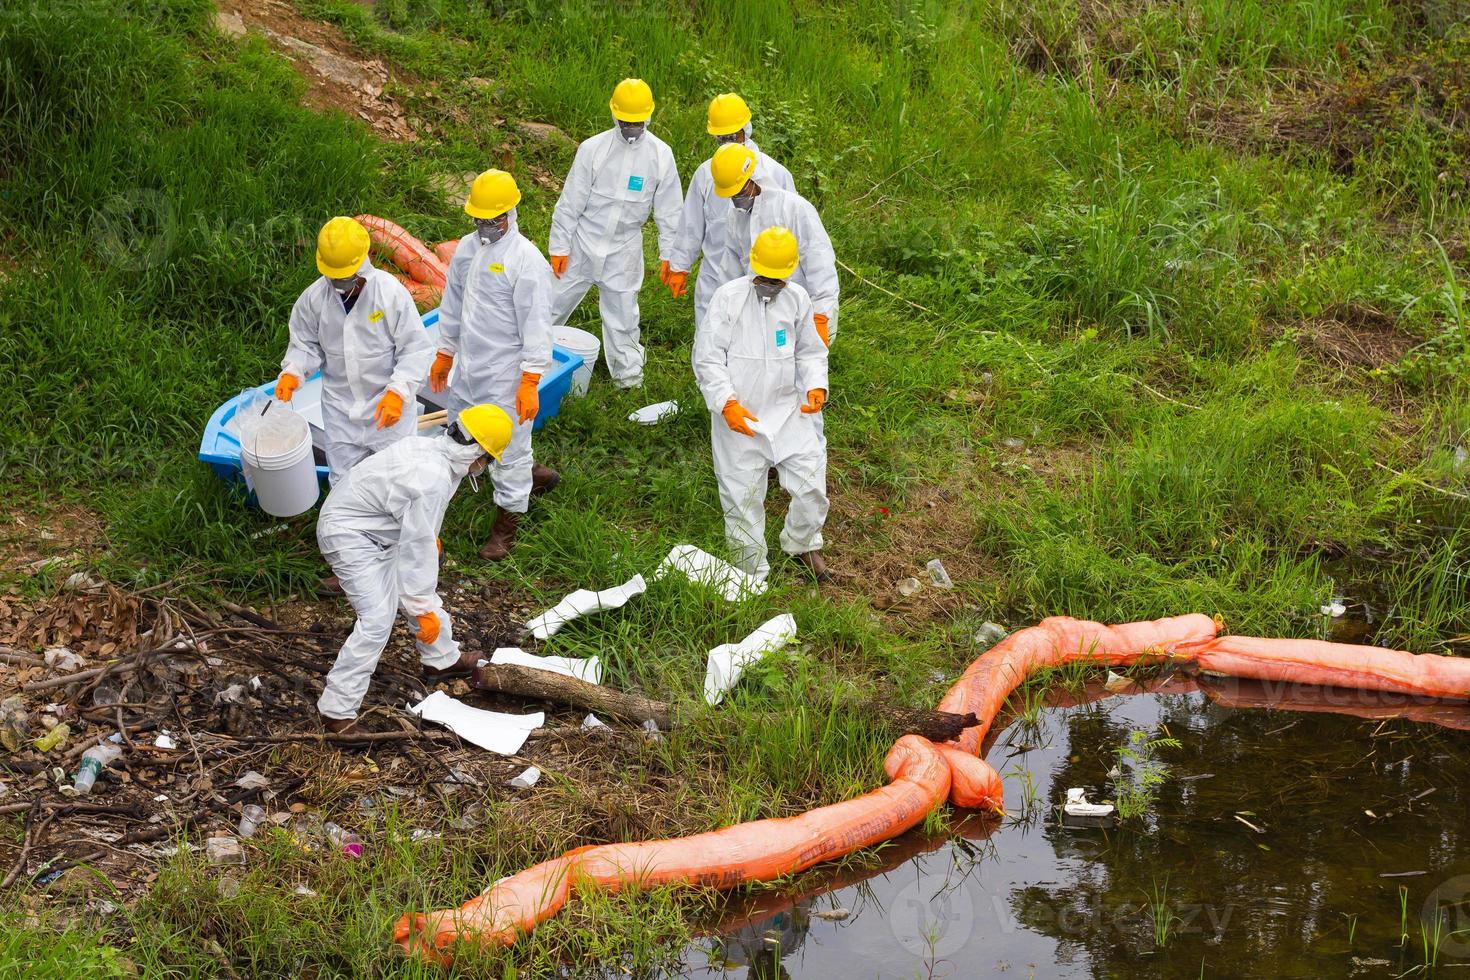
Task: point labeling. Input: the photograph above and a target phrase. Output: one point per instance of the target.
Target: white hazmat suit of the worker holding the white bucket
(381, 346)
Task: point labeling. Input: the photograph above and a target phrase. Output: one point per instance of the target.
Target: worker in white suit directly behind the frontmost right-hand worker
(755, 208)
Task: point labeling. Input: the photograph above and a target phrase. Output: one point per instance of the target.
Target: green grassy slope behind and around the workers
(1040, 252)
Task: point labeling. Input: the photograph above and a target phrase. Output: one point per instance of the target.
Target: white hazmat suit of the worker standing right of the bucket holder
(496, 321)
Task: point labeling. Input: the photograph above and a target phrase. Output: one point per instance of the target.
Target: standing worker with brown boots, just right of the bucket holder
(496, 323)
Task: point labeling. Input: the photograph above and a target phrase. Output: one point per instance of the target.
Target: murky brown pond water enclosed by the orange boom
(1284, 844)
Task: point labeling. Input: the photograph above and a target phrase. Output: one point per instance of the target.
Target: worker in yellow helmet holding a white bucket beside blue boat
(359, 327)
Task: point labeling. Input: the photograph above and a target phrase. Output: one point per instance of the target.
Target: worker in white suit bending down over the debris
(380, 530)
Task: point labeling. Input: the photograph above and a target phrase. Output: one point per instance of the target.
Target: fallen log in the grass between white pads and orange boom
(545, 685)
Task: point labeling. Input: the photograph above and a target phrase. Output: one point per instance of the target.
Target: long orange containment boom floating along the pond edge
(925, 775)
